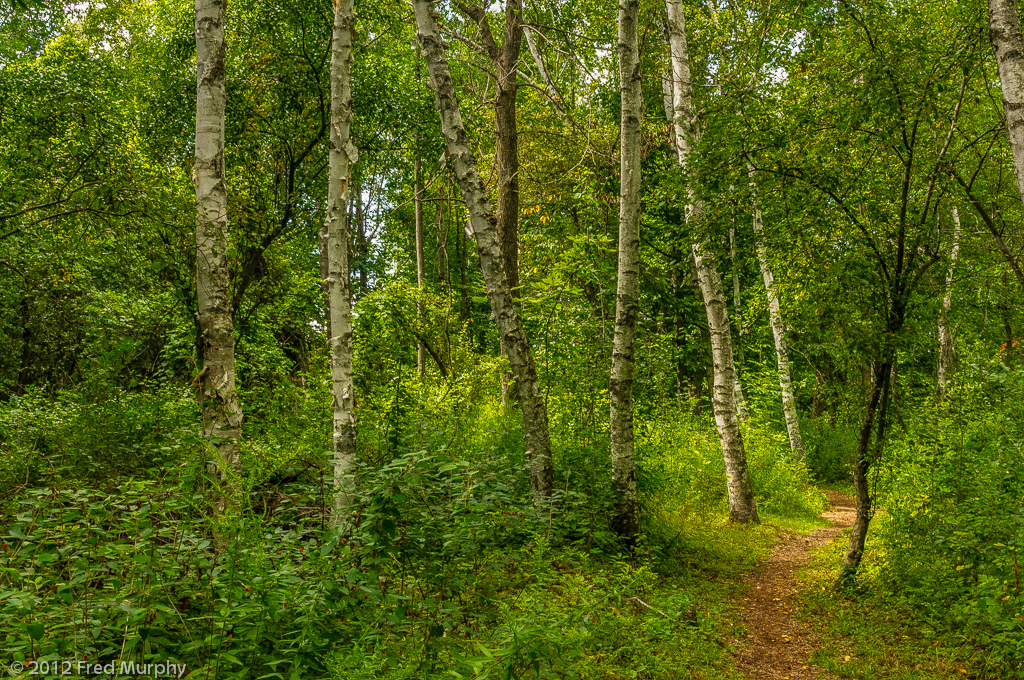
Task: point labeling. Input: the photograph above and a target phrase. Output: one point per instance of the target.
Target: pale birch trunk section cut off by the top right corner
(1005, 34)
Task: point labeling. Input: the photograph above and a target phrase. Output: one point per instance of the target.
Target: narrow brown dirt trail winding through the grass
(779, 647)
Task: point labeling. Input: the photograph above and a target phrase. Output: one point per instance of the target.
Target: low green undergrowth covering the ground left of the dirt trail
(449, 570)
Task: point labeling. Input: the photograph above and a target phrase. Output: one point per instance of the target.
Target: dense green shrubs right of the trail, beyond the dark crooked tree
(953, 487)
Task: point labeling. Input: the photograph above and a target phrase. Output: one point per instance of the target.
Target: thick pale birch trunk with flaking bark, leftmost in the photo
(222, 410)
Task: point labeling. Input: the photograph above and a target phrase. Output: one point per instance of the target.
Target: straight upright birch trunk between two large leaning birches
(621, 385)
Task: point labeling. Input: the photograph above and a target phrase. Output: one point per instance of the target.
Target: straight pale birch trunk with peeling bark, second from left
(343, 156)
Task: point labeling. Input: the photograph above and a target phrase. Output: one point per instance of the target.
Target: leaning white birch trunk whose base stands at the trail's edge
(742, 505)
